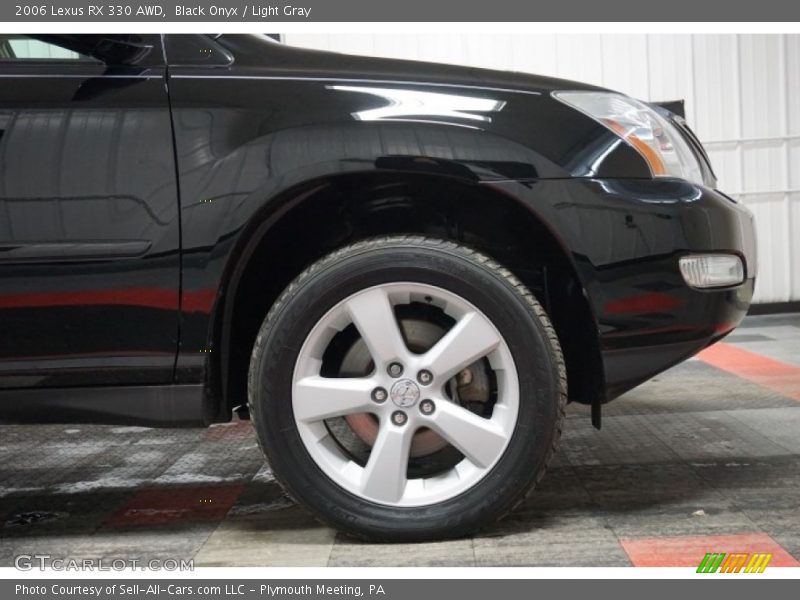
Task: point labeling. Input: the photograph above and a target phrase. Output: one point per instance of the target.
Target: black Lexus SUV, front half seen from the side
(401, 271)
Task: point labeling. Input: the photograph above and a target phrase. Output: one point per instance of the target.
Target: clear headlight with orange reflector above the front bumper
(656, 139)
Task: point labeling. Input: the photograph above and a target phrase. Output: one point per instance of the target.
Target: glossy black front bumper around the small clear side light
(626, 238)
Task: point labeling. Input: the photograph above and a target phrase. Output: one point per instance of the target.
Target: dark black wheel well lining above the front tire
(313, 218)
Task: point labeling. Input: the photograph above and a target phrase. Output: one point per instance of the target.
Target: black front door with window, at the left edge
(89, 222)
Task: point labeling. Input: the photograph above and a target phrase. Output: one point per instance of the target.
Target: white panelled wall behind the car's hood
(742, 97)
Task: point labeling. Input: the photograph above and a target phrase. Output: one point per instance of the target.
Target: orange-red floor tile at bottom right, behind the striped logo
(688, 551)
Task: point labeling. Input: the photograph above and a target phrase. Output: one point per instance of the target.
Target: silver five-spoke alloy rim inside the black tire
(406, 392)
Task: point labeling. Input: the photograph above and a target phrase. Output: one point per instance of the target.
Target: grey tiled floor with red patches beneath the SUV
(704, 458)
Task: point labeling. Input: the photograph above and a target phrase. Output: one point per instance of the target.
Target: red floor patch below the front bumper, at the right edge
(772, 374)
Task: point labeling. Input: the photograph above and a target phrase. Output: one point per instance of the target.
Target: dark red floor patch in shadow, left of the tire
(168, 505)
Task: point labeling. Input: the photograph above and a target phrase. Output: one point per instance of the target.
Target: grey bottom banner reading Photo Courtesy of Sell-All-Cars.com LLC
(388, 589)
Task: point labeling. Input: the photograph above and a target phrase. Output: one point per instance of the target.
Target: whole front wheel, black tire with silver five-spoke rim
(478, 430)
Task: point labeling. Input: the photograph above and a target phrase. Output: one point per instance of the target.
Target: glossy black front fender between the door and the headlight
(249, 146)
